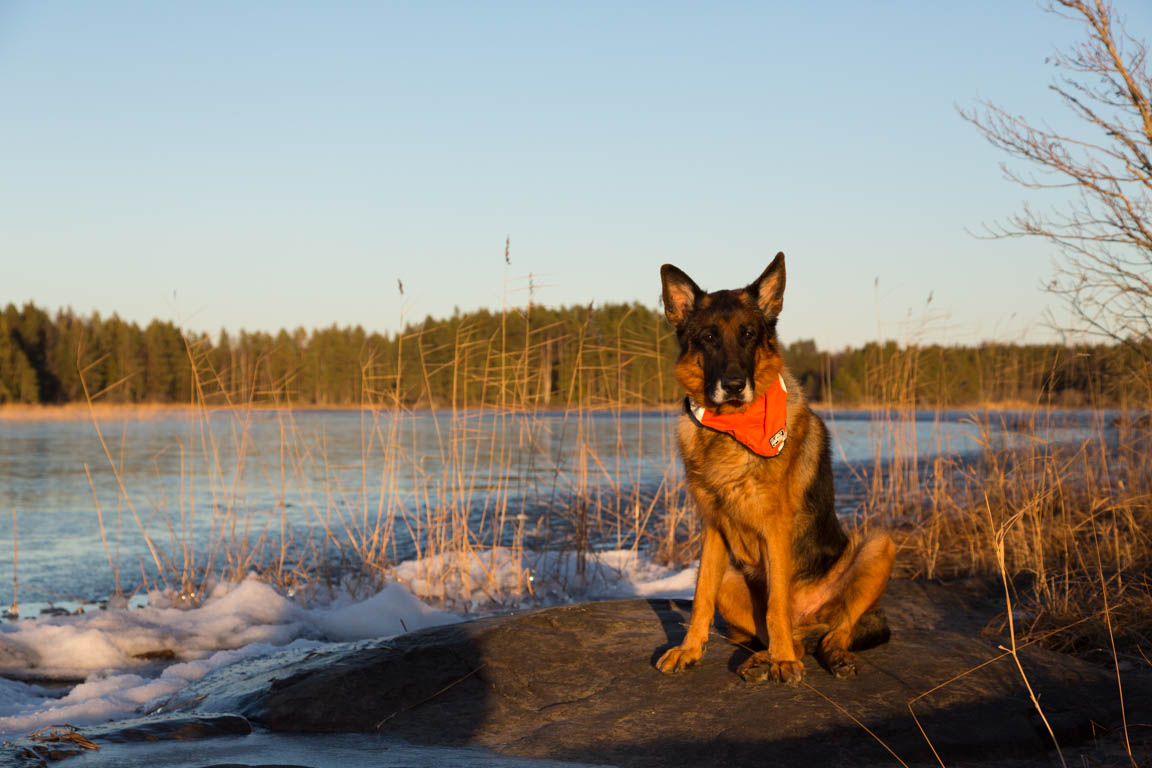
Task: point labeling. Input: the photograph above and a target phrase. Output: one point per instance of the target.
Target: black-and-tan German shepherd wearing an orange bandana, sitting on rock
(776, 560)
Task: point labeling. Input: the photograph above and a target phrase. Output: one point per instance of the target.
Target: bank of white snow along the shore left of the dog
(132, 660)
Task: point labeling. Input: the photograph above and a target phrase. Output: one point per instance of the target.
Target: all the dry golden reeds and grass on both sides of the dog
(1075, 519)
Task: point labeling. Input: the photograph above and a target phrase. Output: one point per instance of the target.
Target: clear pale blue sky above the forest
(262, 165)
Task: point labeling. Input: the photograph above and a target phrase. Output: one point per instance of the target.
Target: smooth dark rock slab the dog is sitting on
(579, 683)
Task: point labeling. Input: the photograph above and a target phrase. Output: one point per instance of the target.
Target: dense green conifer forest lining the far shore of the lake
(536, 356)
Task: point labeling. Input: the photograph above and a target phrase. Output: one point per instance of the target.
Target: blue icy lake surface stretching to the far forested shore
(199, 484)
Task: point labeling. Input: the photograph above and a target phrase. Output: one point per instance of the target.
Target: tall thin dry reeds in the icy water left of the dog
(446, 503)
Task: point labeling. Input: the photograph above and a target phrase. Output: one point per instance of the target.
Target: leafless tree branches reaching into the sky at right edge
(1104, 234)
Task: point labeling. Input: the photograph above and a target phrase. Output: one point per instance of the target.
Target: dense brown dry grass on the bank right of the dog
(1075, 522)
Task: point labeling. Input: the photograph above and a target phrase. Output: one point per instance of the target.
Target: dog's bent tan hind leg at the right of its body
(859, 589)
